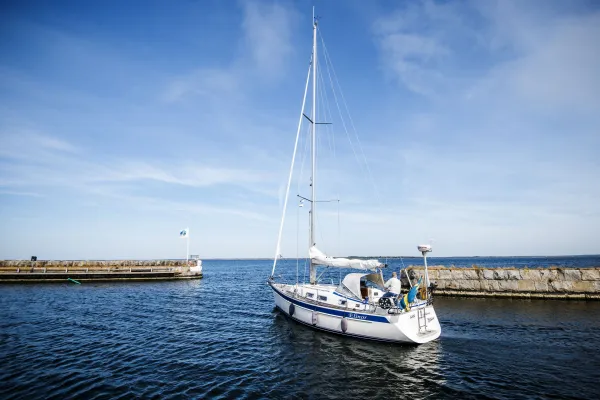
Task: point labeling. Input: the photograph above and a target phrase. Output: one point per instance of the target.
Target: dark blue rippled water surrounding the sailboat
(220, 337)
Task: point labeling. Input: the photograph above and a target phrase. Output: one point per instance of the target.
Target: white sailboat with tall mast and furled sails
(359, 305)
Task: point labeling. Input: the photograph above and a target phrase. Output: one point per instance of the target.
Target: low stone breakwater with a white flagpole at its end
(59, 270)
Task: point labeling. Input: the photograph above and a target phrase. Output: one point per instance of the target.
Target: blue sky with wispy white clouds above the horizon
(123, 122)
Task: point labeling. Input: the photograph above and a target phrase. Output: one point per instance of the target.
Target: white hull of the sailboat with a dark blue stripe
(405, 327)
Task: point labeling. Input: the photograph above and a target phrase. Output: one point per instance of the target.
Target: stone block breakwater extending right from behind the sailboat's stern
(545, 283)
